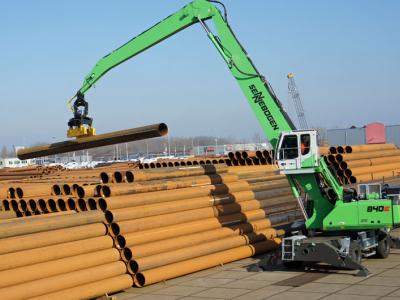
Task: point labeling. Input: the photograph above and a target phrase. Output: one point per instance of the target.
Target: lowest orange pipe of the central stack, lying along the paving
(203, 262)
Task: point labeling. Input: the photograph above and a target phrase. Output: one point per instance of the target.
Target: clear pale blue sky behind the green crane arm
(345, 55)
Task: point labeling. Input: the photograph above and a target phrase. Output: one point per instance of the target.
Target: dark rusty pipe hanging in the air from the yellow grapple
(116, 137)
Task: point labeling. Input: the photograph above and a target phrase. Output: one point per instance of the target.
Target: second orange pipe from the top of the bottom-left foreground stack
(52, 237)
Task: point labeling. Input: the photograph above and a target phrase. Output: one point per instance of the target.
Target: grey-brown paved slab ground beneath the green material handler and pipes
(237, 281)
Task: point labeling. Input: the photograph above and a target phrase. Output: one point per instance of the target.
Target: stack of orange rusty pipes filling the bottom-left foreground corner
(67, 256)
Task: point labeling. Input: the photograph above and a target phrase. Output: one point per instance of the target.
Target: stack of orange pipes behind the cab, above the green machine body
(365, 163)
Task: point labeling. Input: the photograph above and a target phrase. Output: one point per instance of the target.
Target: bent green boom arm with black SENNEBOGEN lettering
(269, 112)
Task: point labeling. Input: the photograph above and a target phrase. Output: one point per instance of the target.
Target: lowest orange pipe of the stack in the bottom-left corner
(91, 290)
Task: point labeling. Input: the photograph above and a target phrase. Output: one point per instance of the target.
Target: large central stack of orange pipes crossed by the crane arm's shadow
(170, 223)
